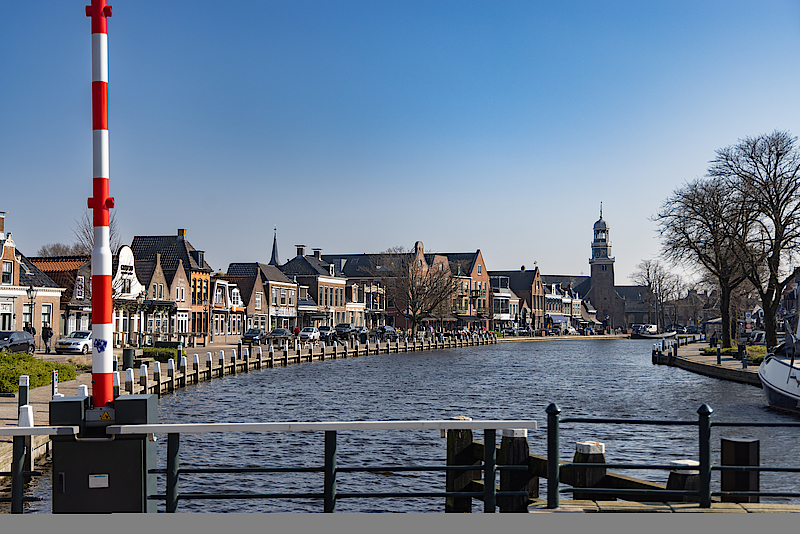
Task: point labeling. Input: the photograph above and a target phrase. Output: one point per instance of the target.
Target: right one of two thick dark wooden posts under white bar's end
(514, 451)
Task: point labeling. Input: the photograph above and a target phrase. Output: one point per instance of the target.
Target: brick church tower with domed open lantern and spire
(603, 295)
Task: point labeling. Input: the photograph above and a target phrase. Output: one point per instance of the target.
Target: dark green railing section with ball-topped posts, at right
(703, 424)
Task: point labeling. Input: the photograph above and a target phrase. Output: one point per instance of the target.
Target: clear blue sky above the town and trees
(356, 126)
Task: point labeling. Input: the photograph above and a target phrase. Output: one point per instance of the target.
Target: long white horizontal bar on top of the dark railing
(199, 428)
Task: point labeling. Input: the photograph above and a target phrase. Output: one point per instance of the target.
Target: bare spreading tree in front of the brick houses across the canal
(415, 288)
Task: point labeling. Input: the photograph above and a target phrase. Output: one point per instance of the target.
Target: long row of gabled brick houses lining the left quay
(164, 289)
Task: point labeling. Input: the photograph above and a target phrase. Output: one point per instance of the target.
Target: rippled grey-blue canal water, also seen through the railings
(584, 377)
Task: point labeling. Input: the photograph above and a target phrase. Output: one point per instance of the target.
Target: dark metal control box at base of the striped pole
(97, 473)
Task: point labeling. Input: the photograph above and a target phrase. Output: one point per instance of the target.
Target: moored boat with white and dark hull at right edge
(780, 375)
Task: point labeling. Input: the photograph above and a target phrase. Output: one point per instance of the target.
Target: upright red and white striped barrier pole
(100, 203)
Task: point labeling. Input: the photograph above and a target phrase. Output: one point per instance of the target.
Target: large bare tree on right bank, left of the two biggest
(699, 224)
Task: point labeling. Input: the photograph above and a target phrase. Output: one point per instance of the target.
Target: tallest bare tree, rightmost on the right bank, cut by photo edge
(765, 173)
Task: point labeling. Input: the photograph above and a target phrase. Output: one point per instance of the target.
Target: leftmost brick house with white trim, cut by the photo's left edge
(20, 276)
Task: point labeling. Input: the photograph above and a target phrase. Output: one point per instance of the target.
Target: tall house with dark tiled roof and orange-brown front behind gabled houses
(174, 251)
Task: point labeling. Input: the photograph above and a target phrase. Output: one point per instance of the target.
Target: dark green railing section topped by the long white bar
(329, 468)
